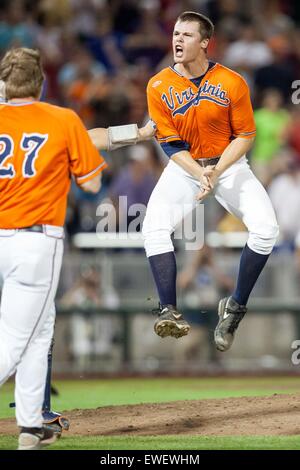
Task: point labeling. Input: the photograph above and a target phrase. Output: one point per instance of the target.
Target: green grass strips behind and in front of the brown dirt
(106, 392)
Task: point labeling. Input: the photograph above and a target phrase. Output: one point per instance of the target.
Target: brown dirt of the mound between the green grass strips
(272, 415)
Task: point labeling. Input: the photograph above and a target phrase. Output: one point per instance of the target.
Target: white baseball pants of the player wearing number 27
(29, 267)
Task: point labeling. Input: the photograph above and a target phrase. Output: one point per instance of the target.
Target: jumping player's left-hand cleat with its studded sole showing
(170, 323)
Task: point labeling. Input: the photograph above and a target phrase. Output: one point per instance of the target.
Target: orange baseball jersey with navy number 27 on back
(41, 146)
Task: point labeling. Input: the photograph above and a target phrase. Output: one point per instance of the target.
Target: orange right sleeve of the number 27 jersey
(85, 160)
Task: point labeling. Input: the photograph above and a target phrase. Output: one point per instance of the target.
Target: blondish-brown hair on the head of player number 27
(22, 72)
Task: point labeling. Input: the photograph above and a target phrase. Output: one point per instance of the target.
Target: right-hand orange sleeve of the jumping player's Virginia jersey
(241, 112)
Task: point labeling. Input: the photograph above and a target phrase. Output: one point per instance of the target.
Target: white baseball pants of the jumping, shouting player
(237, 190)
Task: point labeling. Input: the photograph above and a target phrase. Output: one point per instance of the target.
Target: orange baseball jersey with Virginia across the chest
(205, 117)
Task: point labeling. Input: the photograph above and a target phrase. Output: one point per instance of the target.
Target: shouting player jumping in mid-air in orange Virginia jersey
(205, 125)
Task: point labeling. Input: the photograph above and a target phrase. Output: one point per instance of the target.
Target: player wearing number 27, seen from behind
(40, 146)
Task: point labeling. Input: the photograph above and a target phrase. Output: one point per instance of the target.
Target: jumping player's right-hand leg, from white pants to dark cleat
(250, 202)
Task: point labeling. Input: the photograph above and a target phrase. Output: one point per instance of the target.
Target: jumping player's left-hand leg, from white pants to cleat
(172, 199)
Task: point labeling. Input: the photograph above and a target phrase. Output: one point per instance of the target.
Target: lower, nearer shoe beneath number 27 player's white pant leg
(35, 438)
